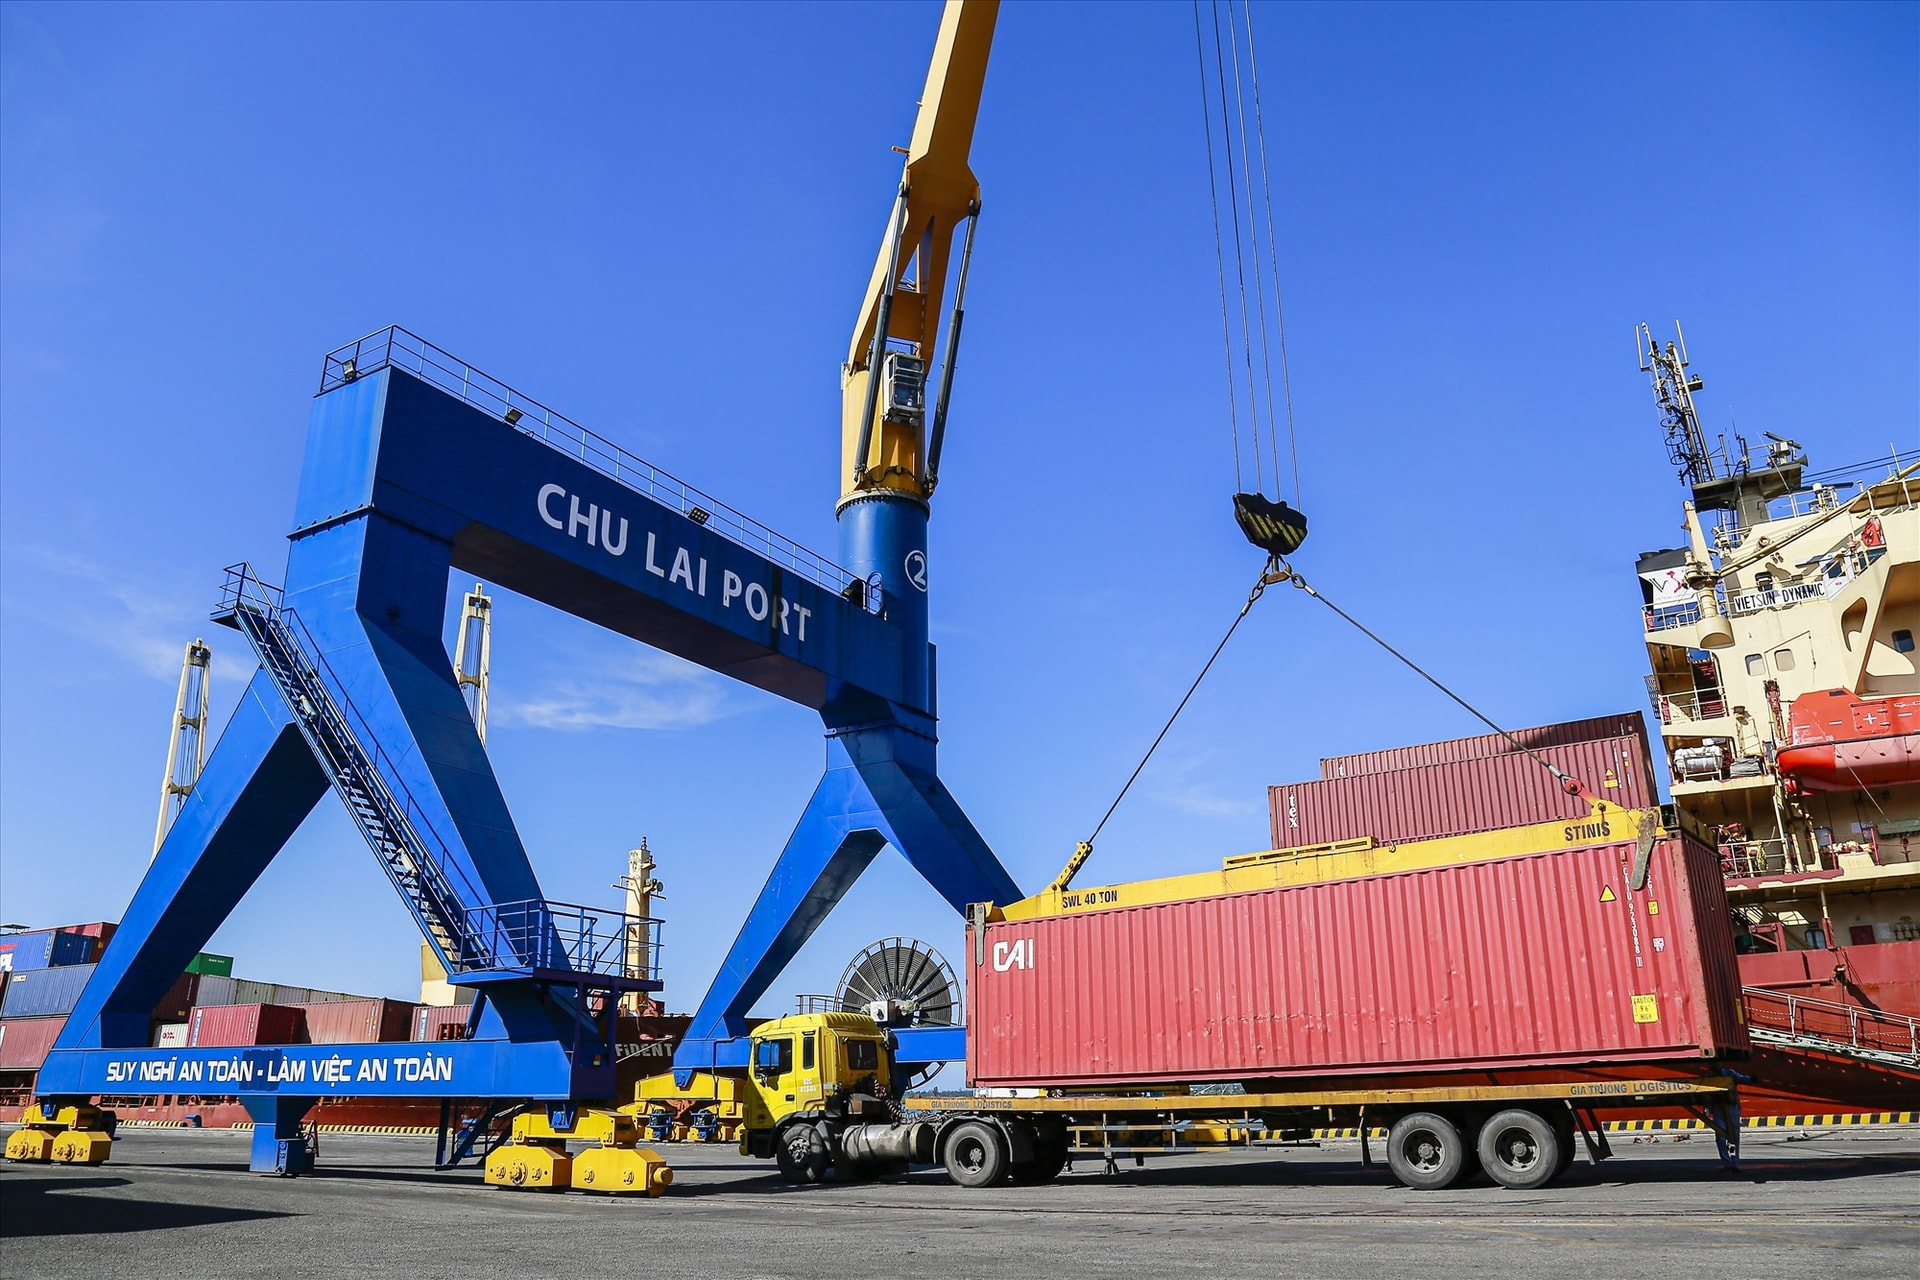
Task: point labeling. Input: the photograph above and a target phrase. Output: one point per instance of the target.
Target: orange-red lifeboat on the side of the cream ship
(1850, 744)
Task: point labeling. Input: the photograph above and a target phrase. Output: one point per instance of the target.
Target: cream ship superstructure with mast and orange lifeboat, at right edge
(1787, 686)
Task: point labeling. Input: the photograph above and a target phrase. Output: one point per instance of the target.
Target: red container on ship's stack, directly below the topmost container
(1460, 799)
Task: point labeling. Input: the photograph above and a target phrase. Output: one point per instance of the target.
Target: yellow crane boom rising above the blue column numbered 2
(890, 435)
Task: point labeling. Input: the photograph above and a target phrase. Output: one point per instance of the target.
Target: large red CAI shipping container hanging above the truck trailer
(1504, 964)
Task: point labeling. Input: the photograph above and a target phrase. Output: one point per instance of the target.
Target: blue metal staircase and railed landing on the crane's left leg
(471, 934)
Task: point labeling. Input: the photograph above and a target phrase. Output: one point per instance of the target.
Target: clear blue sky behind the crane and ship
(660, 220)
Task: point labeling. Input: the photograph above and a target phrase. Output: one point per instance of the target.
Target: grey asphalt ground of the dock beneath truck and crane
(181, 1204)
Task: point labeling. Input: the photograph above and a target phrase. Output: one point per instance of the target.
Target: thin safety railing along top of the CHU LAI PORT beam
(396, 348)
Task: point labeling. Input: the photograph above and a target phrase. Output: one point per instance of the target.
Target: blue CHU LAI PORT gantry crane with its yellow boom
(418, 465)
